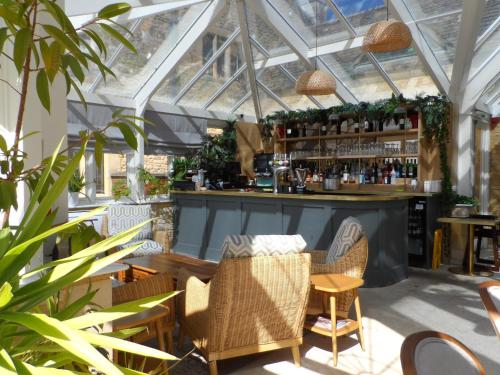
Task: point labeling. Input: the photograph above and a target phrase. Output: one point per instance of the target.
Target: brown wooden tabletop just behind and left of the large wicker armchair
(146, 266)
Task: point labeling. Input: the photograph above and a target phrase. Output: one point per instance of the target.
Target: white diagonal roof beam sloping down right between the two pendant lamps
(274, 19)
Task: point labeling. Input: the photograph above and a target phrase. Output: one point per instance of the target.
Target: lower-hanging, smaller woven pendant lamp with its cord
(315, 82)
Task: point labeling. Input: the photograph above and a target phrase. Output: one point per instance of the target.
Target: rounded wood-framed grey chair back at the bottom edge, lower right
(436, 353)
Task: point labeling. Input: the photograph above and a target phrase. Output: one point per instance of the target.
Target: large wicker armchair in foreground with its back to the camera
(252, 305)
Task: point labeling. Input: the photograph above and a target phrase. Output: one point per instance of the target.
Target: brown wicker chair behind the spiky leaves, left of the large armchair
(148, 287)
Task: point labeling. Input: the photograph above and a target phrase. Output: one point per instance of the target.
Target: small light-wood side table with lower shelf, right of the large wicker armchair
(331, 284)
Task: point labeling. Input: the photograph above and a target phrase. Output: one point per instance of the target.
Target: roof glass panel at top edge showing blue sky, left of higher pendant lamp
(301, 14)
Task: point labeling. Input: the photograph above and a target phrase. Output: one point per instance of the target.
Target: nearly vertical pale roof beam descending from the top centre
(247, 51)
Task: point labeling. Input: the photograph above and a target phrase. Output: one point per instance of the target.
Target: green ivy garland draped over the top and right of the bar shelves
(435, 111)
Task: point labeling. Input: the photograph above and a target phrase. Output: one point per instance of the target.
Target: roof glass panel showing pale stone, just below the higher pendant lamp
(407, 73)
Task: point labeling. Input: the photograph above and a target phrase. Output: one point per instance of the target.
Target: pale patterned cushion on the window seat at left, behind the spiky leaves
(125, 216)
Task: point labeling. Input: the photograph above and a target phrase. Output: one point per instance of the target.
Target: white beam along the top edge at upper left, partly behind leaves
(91, 7)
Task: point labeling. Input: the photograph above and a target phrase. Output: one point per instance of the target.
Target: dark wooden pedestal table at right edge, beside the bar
(470, 222)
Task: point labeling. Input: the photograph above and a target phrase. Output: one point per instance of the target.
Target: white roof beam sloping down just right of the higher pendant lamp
(422, 48)
